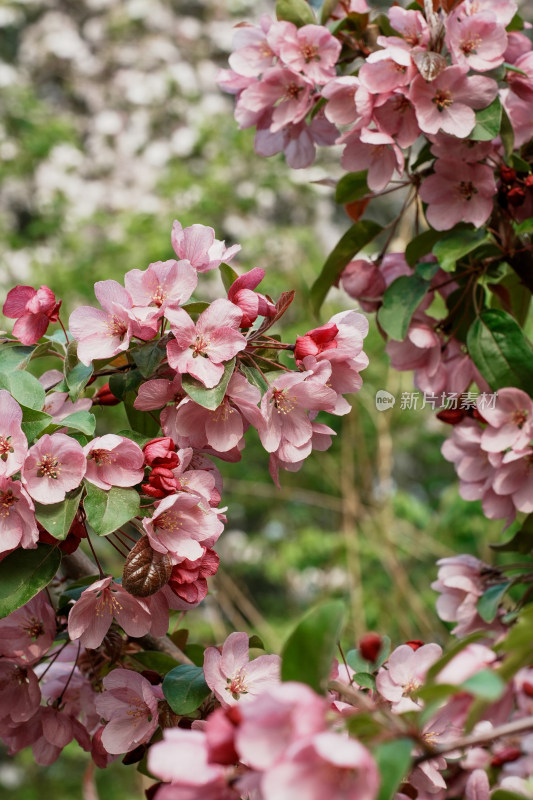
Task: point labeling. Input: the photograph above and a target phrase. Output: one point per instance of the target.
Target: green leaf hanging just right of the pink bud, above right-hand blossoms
(401, 299)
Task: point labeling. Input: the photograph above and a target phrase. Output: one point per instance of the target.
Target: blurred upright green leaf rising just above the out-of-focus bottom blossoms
(307, 653)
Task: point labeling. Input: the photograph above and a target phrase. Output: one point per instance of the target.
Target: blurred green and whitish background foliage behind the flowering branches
(111, 127)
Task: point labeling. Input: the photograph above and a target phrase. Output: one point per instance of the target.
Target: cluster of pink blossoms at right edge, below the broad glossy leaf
(493, 456)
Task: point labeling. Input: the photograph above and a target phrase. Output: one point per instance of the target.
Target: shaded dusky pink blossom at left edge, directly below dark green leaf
(27, 633)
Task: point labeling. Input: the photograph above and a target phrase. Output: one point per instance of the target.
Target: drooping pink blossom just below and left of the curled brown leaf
(91, 616)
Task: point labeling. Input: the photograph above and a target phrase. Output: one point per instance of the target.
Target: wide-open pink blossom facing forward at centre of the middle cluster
(202, 349)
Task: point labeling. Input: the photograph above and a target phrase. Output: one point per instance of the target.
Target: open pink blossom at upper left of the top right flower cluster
(310, 49)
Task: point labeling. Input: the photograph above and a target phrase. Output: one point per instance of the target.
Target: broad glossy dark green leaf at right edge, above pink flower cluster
(499, 349)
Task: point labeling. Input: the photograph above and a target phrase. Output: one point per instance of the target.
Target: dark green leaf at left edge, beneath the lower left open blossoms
(23, 573)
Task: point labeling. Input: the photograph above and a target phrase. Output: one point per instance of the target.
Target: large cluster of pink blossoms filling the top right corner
(422, 81)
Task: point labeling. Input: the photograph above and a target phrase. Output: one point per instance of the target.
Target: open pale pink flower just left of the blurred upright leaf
(233, 677)
